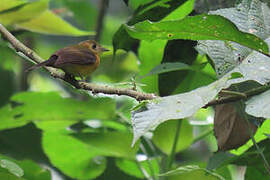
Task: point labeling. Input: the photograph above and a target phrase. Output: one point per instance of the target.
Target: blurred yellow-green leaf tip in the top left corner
(25, 13)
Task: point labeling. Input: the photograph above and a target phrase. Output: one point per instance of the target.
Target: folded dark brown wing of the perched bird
(75, 55)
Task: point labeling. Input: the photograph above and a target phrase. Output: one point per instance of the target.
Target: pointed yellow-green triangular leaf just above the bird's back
(49, 23)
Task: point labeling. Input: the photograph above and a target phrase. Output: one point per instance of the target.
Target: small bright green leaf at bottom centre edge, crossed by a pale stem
(132, 167)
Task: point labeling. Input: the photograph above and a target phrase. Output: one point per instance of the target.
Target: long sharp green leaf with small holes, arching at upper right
(201, 27)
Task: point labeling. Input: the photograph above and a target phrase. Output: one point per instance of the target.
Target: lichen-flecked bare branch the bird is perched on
(21, 48)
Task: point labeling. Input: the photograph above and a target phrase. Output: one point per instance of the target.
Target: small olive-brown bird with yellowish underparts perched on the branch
(75, 60)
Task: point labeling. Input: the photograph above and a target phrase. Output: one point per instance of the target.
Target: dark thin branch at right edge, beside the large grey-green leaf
(247, 94)
